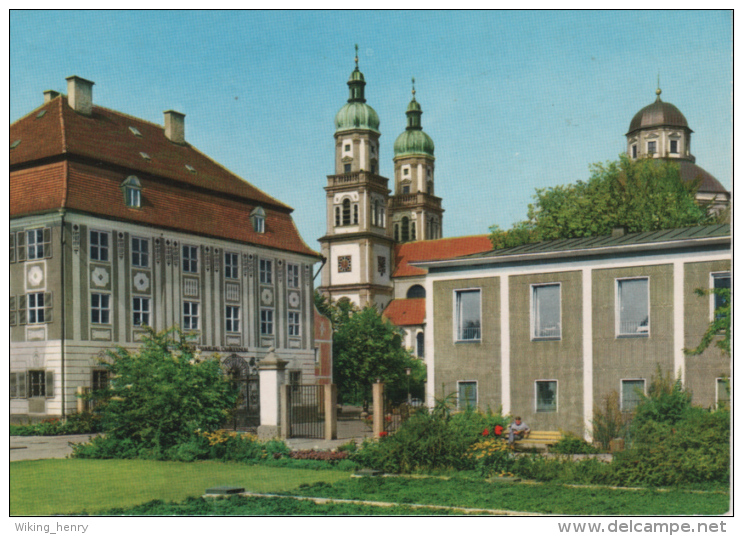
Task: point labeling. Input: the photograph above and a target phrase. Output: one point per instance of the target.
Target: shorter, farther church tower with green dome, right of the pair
(415, 212)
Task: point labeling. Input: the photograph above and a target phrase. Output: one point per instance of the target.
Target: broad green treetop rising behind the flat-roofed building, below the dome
(639, 195)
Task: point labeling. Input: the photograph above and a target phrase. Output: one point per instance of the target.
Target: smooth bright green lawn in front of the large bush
(43, 487)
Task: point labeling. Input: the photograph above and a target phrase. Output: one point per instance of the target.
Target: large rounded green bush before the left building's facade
(163, 392)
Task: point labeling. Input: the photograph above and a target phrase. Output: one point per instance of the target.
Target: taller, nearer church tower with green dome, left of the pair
(357, 247)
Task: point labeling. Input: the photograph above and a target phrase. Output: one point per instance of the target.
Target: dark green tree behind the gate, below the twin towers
(367, 347)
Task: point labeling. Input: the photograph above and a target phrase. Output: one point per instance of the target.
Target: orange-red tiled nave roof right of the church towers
(444, 248)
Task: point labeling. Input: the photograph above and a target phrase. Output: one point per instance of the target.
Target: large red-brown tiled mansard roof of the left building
(213, 201)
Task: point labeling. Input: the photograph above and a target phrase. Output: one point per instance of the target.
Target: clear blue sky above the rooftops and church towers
(513, 100)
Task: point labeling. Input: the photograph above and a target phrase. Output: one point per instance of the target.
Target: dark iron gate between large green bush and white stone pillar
(243, 374)
